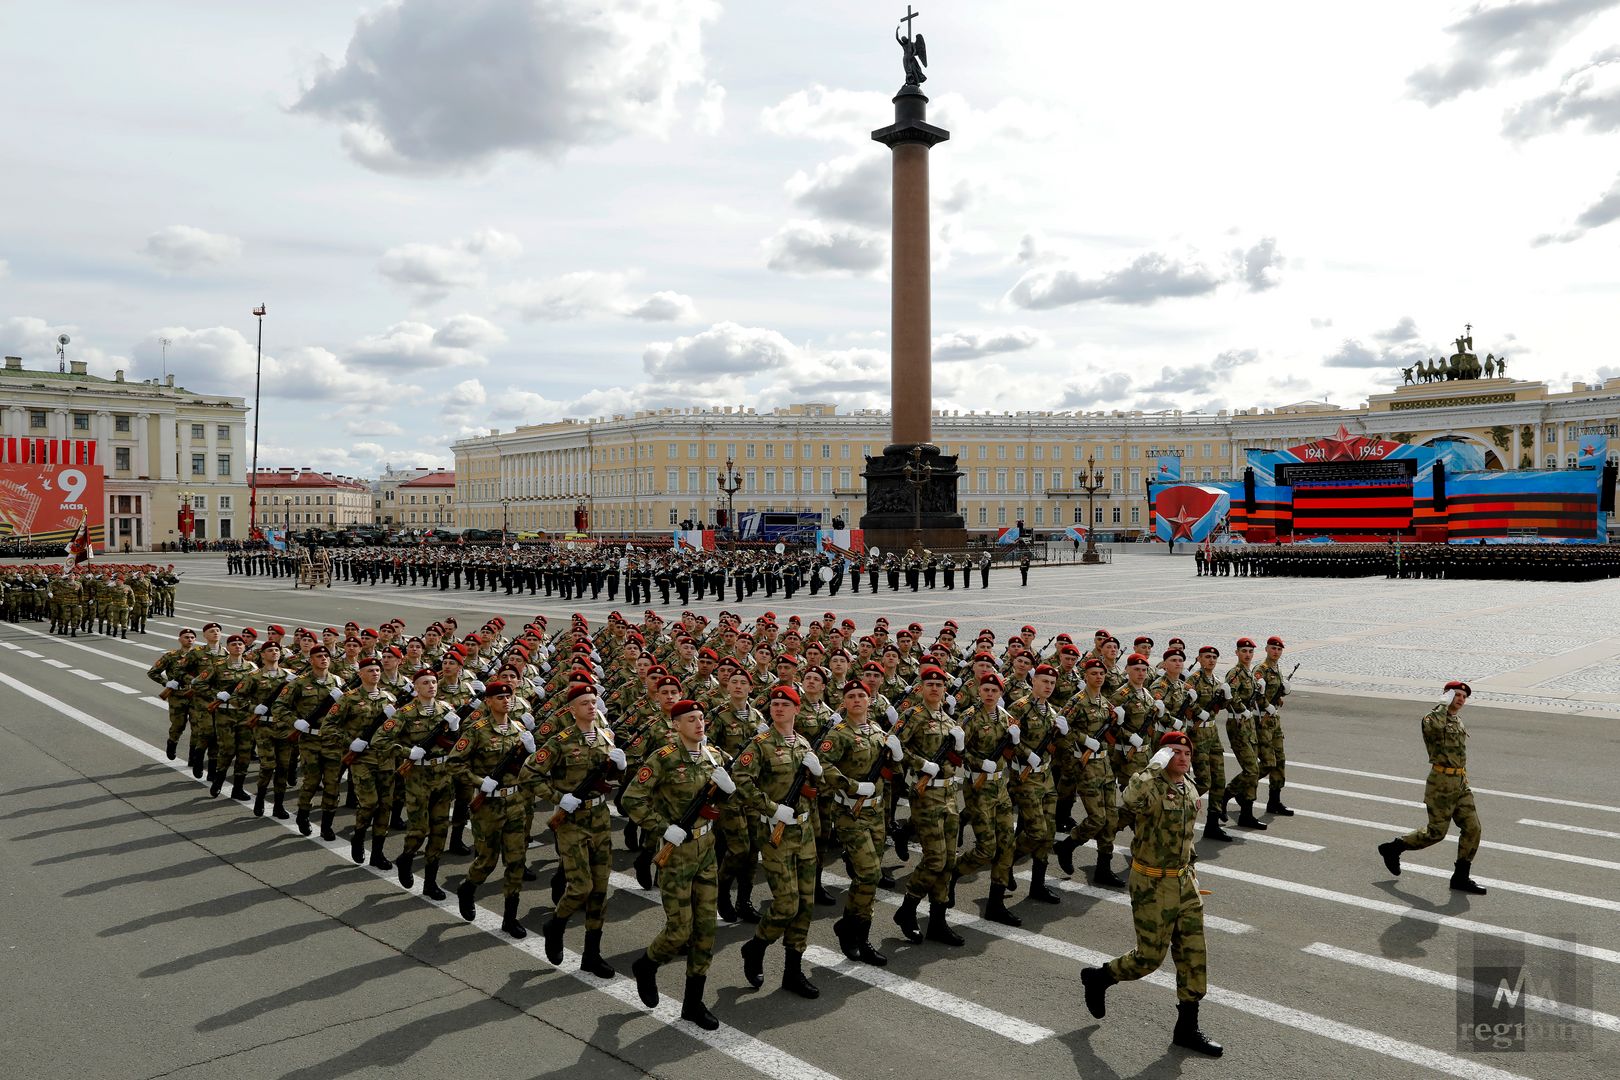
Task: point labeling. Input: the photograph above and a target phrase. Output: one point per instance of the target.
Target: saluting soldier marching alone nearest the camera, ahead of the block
(1166, 901)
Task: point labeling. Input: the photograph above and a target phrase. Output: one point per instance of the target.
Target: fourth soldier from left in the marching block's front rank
(932, 746)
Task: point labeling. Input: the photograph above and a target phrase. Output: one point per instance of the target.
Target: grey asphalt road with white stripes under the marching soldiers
(153, 932)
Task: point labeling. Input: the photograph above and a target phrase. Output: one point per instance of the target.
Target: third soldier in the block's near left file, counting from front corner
(493, 749)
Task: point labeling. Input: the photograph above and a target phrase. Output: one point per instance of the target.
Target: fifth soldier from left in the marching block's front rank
(992, 744)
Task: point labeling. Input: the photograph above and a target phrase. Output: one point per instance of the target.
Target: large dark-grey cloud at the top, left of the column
(432, 87)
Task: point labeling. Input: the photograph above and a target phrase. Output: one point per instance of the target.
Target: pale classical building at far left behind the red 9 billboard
(158, 444)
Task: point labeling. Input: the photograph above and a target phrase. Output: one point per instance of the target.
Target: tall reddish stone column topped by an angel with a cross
(911, 488)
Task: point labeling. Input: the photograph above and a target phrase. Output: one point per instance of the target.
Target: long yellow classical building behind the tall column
(652, 470)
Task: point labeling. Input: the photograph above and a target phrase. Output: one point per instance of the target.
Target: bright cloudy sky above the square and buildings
(469, 215)
